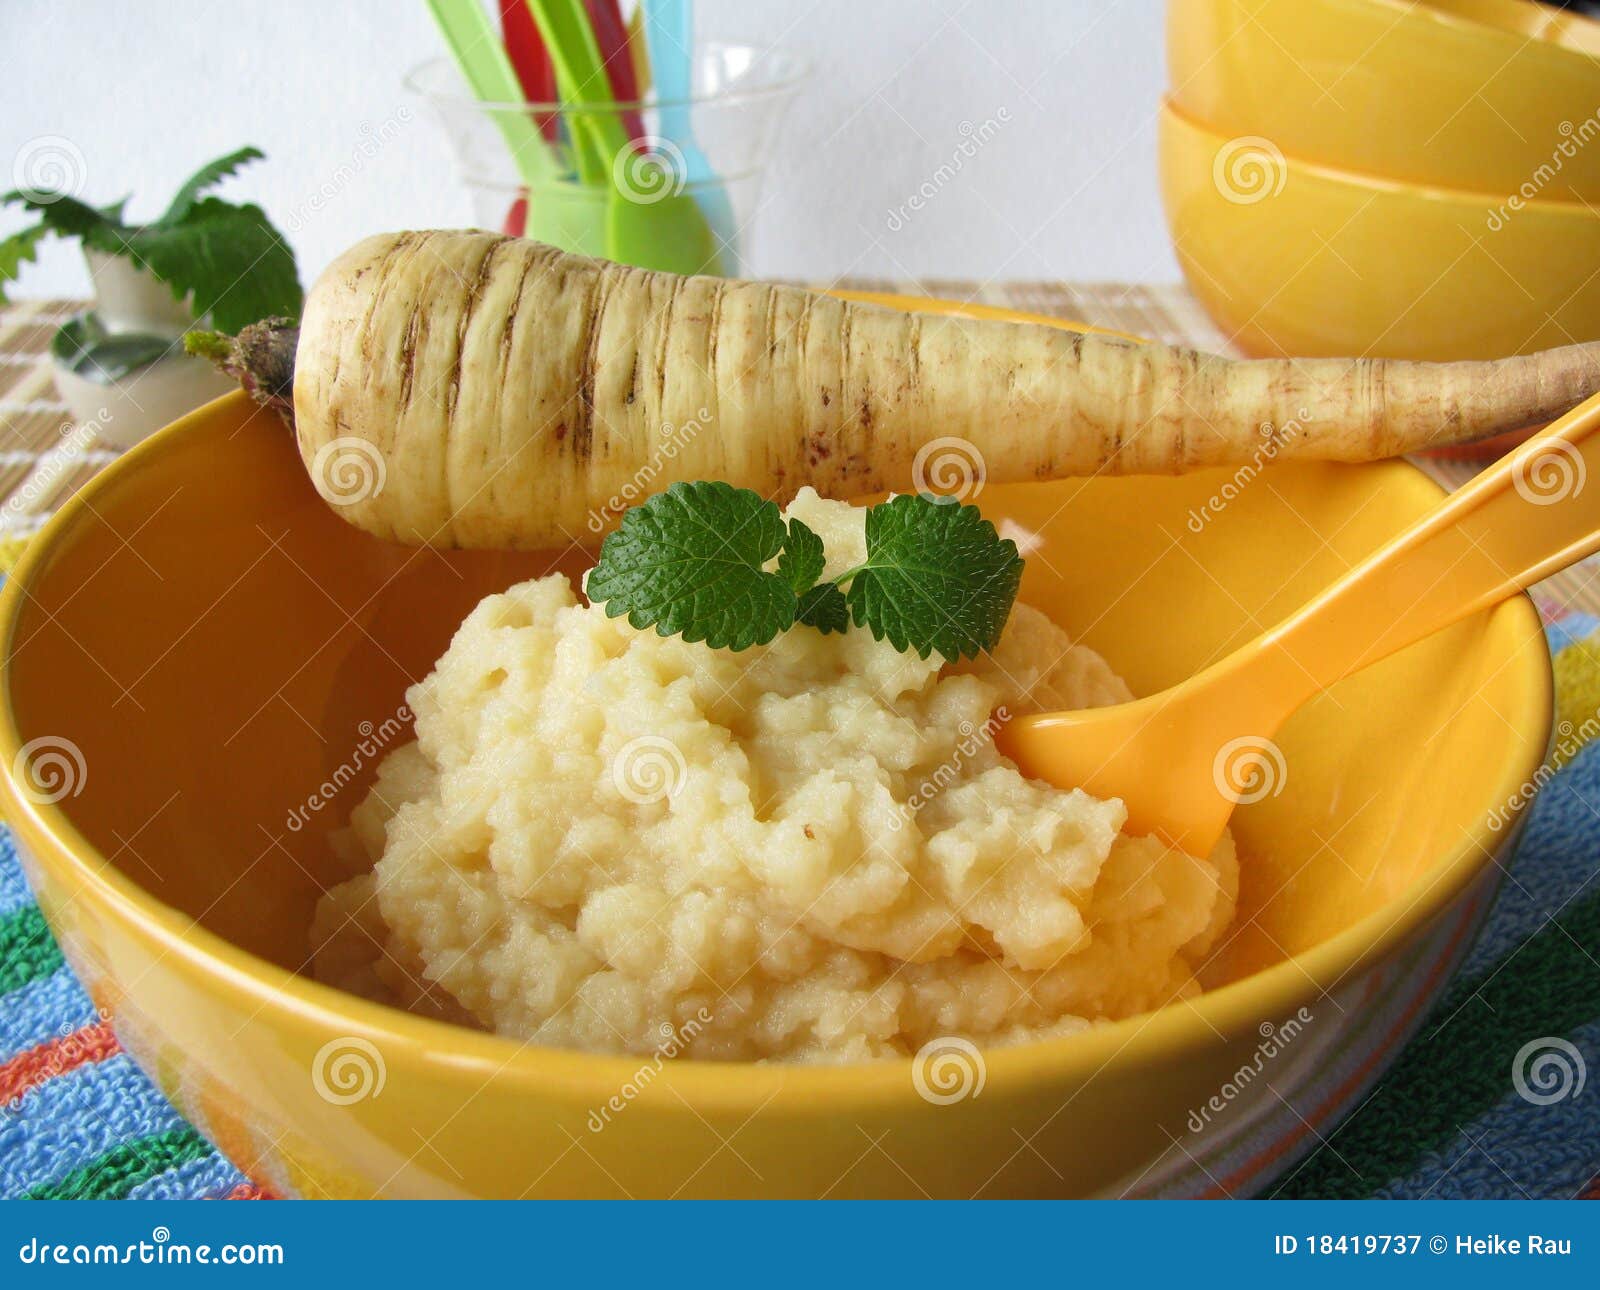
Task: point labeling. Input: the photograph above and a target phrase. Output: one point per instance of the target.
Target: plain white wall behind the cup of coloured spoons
(145, 90)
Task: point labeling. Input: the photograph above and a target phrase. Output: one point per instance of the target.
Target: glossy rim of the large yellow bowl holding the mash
(278, 996)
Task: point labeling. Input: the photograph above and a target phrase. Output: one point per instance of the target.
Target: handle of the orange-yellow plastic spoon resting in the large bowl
(1526, 518)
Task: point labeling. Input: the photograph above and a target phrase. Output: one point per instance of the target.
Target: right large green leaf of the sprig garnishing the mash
(937, 577)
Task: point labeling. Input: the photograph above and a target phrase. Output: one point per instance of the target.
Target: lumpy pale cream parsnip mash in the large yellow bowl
(809, 851)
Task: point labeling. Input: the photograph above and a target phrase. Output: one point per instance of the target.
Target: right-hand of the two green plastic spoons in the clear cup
(650, 222)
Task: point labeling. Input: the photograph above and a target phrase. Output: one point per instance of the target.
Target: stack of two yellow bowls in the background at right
(1401, 178)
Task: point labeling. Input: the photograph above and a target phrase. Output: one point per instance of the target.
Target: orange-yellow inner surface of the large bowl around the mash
(231, 662)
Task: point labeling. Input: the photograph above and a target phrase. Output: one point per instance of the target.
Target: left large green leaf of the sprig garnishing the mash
(692, 563)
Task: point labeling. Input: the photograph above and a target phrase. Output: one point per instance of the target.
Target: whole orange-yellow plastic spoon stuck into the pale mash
(1183, 759)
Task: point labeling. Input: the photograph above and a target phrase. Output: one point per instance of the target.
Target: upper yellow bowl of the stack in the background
(1481, 95)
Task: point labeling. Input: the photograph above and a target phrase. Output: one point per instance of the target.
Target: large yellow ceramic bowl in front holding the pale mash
(204, 644)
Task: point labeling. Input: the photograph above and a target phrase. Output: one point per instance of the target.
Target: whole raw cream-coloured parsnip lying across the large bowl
(516, 393)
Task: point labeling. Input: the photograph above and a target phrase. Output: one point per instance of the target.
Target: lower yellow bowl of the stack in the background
(1297, 258)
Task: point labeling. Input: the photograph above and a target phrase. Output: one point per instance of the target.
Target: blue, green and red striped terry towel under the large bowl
(78, 1120)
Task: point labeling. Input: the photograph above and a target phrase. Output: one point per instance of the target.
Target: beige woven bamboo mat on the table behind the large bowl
(42, 462)
